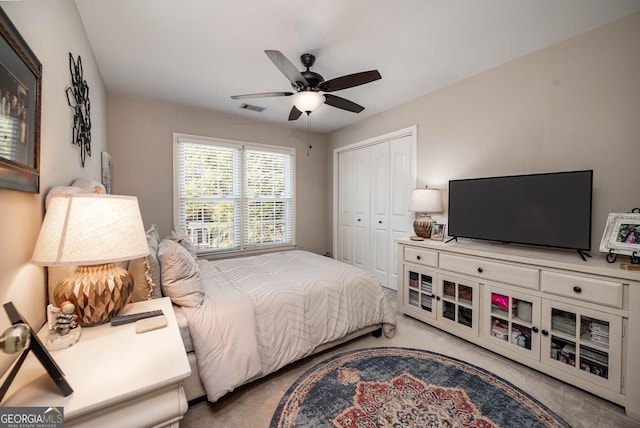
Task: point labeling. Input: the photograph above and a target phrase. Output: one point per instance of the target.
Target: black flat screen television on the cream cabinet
(551, 210)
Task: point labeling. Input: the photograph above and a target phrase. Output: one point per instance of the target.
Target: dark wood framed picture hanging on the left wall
(20, 106)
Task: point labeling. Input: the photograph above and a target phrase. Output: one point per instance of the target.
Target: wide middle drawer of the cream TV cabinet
(509, 274)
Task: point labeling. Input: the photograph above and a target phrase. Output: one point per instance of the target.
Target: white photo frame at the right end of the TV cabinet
(622, 234)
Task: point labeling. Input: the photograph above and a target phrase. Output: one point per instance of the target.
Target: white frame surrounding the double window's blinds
(242, 146)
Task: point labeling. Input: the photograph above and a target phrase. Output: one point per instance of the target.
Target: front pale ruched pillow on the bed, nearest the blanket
(180, 275)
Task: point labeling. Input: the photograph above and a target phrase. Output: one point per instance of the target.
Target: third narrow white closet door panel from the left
(380, 248)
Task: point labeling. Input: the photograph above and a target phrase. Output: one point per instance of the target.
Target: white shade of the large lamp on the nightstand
(90, 229)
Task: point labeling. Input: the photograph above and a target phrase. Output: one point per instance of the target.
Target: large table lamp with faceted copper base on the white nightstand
(93, 232)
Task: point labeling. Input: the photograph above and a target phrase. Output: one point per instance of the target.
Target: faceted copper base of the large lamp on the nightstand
(99, 292)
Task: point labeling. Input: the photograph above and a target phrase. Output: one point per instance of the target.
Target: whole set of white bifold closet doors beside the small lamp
(374, 188)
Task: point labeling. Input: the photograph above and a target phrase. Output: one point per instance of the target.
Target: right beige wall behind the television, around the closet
(571, 106)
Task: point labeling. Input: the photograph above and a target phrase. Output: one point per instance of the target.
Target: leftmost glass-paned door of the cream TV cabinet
(420, 294)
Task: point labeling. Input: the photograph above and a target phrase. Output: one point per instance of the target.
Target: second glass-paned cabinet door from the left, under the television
(458, 305)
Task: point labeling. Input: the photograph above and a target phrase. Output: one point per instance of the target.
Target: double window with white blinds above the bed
(233, 196)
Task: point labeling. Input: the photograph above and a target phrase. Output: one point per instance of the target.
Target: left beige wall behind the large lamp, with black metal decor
(52, 29)
